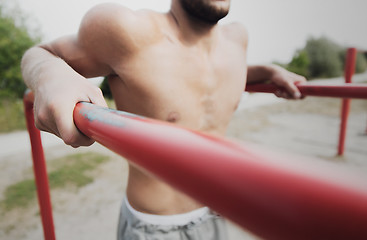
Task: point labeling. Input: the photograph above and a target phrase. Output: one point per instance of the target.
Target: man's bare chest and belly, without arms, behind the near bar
(184, 84)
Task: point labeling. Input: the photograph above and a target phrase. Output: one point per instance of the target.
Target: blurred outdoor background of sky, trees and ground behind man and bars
(306, 37)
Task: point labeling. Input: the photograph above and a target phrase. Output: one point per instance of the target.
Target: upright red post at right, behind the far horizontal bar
(350, 63)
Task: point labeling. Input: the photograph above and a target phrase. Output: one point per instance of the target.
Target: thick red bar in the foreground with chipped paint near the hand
(256, 190)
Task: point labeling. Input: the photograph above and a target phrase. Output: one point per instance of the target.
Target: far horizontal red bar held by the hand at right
(347, 90)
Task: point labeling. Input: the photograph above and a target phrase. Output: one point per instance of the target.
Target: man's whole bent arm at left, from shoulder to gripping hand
(57, 72)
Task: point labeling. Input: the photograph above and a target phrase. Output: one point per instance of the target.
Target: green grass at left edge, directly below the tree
(11, 115)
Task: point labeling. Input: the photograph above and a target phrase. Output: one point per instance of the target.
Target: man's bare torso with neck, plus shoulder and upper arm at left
(163, 66)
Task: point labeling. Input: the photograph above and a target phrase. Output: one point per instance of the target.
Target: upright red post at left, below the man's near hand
(39, 168)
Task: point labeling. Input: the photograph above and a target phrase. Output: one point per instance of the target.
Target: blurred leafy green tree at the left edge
(14, 41)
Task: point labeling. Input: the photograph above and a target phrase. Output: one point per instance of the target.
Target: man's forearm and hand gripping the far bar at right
(278, 76)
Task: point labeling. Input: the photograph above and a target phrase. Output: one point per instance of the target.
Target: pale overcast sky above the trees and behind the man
(277, 28)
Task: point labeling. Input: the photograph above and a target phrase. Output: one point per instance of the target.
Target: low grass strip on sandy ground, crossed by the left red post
(70, 170)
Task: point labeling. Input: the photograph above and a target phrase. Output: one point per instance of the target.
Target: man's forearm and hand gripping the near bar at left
(57, 88)
